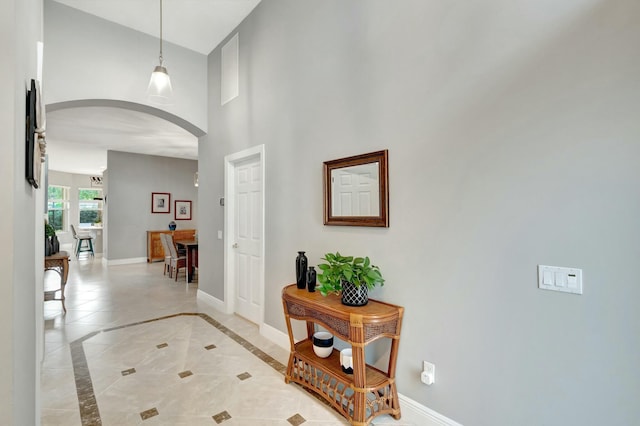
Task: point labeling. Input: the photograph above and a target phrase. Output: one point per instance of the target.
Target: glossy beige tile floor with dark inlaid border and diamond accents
(136, 347)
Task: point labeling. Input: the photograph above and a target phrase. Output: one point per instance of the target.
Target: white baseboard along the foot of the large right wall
(412, 411)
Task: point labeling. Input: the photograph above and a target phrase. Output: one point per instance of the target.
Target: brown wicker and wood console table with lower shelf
(368, 392)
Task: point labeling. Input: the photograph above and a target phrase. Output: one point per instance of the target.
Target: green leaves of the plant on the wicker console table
(356, 270)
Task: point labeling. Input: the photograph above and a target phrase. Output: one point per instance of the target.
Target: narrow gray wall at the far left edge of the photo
(21, 253)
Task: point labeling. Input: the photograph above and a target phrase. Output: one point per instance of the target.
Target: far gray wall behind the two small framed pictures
(131, 180)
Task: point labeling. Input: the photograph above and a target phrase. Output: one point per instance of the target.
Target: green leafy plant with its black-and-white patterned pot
(352, 276)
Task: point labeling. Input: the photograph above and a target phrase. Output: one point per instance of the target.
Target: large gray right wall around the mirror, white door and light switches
(512, 132)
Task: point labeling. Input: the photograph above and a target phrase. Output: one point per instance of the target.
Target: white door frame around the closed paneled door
(230, 162)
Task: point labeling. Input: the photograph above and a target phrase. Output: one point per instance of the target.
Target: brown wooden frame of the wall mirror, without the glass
(382, 220)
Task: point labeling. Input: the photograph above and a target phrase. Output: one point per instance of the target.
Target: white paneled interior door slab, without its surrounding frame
(247, 240)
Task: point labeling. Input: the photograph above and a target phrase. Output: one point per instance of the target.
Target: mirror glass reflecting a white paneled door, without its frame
(355, 191)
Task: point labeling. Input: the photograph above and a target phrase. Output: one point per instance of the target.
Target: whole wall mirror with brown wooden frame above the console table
(356, 190)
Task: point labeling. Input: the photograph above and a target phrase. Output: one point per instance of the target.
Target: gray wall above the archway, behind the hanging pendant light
(103, 60)
